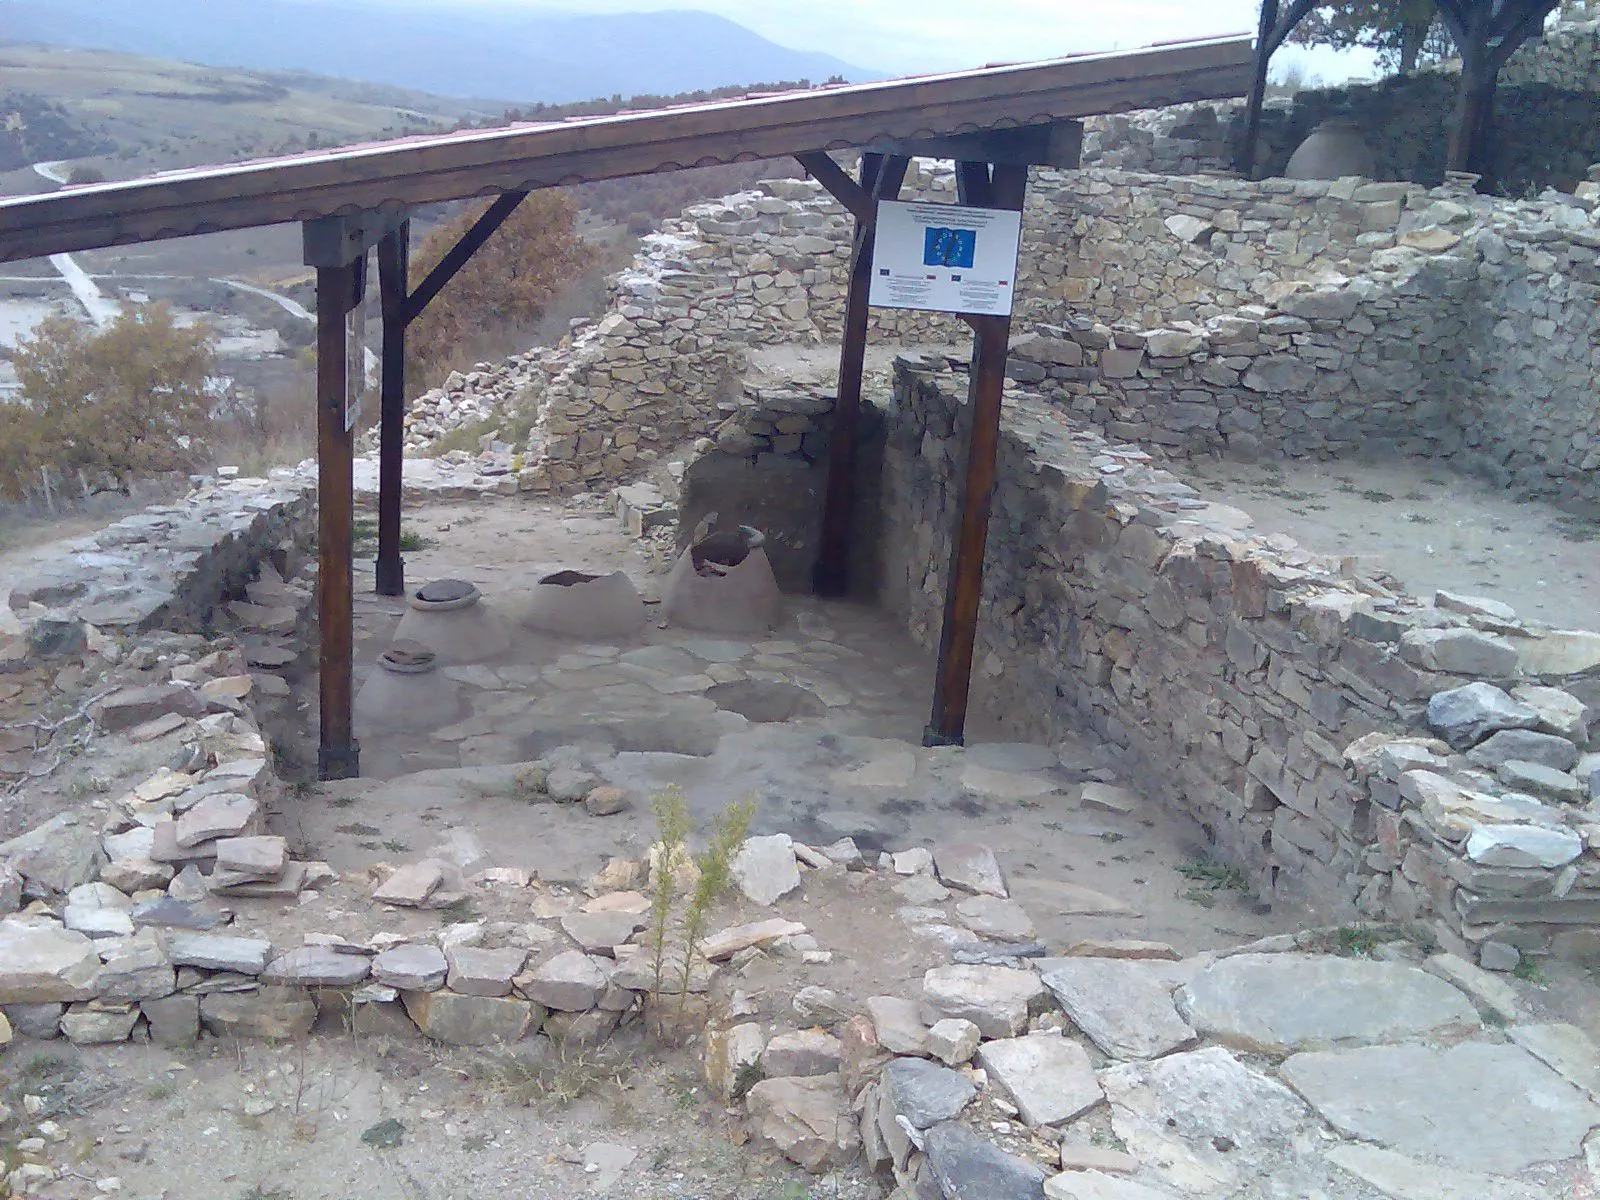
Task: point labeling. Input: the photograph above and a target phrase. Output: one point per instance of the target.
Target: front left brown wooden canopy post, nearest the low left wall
(338, 756)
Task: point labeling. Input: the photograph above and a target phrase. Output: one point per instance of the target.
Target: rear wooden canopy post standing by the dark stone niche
(881, 180)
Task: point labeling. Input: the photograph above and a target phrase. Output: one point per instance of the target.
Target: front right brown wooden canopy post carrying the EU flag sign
(1006, 188)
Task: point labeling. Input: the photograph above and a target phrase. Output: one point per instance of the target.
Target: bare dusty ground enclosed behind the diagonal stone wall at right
(1428, 526)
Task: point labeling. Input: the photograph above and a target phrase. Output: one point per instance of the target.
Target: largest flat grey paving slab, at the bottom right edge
(1474, 1106)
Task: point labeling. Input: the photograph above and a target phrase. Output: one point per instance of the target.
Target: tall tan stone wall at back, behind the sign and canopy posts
(1199, 316)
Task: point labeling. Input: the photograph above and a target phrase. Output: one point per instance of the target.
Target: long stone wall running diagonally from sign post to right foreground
(1337, 737)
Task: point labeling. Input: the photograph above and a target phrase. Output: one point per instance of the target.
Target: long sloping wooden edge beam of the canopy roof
(479, 162)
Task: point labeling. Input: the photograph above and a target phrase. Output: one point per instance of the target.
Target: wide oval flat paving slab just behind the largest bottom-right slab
(1287, 1002)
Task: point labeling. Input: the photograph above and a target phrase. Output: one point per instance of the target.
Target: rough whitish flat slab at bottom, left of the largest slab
(1207, 1119)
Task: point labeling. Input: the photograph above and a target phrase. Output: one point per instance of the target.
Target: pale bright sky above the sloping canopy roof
(919, 36)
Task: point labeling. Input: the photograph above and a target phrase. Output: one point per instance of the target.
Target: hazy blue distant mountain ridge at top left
(463, 50)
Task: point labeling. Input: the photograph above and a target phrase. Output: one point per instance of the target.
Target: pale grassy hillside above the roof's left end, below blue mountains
(143, 114)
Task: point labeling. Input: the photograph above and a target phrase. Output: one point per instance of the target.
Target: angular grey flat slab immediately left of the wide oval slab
(1124, 1006)
